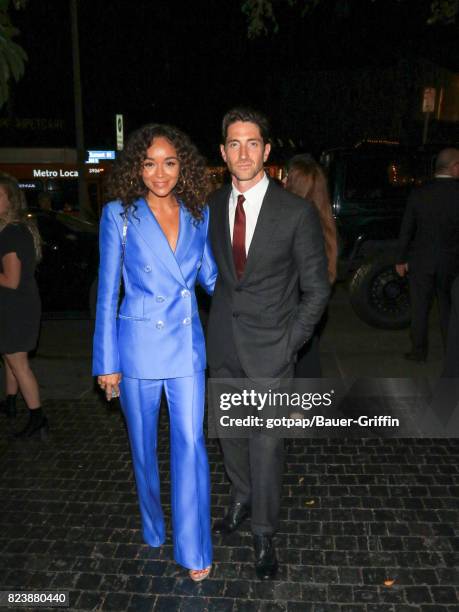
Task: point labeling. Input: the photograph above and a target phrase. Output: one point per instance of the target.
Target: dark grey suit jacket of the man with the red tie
(271, 311)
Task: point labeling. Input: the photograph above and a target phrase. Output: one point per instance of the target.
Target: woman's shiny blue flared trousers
(190, 479)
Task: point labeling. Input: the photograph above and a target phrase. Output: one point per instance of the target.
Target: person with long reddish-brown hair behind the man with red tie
(306, 178)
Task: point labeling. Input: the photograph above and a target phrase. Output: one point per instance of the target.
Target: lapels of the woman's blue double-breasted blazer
(145, 224)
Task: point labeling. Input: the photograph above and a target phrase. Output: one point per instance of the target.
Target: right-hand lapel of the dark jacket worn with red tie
(266, 223)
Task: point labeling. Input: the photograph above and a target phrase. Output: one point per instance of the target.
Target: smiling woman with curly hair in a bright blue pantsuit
(155, 235)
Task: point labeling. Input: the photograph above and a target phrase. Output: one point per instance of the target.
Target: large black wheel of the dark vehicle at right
(379, 296)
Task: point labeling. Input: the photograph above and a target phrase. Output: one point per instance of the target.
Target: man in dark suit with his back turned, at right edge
(429, 248)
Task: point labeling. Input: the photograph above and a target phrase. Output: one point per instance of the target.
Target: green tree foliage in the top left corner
(12, 55)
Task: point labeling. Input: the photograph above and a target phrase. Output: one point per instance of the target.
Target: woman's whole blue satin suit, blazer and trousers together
(157, 342)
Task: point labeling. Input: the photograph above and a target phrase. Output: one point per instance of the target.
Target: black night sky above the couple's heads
(187, 62)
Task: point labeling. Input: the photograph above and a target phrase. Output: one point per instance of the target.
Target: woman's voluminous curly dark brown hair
(125, 182)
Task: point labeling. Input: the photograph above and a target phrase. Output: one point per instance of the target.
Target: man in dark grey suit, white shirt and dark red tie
(271, 290)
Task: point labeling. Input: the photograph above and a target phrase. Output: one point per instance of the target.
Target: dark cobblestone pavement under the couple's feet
(367, 525)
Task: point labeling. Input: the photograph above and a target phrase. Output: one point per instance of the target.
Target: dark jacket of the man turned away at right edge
(429, 234)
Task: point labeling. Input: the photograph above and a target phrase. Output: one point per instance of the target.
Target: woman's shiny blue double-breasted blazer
(157, 333)
